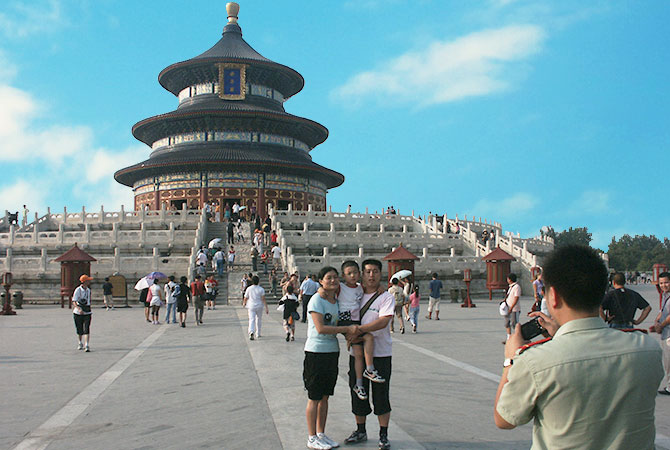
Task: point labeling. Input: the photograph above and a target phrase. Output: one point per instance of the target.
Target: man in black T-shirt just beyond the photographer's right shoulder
(619, 305)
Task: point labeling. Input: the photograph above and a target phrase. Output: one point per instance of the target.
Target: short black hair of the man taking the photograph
(578, 275)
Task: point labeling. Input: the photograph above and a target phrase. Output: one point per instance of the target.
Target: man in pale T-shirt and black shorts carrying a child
(375, 319)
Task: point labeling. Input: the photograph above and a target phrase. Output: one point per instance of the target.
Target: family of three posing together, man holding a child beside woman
(362, 310)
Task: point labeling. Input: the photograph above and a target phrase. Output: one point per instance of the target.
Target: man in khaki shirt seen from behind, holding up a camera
(590, 386)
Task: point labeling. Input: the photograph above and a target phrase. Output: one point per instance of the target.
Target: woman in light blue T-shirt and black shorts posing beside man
(322, 352)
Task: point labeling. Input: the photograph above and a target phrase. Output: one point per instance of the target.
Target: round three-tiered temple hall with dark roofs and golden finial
(230, 139)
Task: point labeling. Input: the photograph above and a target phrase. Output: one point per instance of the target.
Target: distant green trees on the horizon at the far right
(628, 253)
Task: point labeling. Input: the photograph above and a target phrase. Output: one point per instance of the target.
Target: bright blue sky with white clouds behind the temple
(528, 112)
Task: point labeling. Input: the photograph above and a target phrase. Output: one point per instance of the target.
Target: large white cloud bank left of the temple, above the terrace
(70, 169)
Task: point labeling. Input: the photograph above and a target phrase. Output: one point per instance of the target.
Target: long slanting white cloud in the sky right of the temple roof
(473, 65)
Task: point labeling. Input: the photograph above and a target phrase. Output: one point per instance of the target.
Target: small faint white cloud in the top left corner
(23, 19)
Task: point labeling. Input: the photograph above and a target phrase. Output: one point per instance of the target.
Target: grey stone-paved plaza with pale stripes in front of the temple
(145, 386)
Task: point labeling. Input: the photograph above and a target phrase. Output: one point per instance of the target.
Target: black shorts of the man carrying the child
(380, 391)
